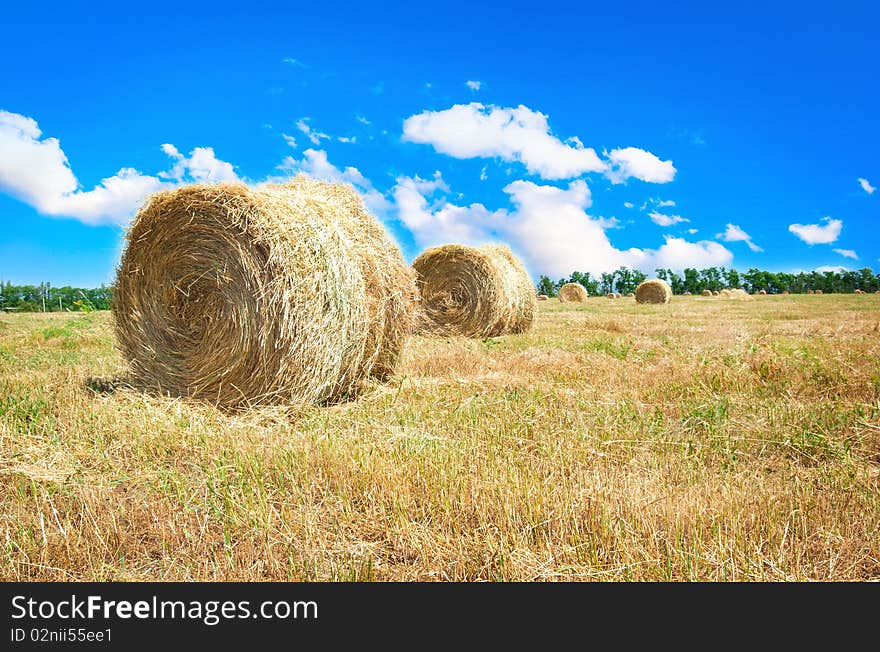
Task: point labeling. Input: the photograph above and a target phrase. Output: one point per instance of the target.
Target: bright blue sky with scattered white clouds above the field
(564, 130)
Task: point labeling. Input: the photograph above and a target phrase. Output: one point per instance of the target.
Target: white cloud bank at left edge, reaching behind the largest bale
(35, 170)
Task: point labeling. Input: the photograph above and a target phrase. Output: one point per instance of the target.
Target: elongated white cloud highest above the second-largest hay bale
(511, 134)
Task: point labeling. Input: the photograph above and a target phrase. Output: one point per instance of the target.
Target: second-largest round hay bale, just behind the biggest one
(474, 291)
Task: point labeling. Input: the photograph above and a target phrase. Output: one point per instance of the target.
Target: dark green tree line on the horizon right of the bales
(625, 280)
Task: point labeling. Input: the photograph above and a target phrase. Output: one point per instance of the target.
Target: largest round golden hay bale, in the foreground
(286, 293)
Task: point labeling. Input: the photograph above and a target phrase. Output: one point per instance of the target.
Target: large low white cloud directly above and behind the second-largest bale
(547, 225)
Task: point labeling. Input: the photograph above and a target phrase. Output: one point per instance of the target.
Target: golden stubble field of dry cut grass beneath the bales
(703, 440)
